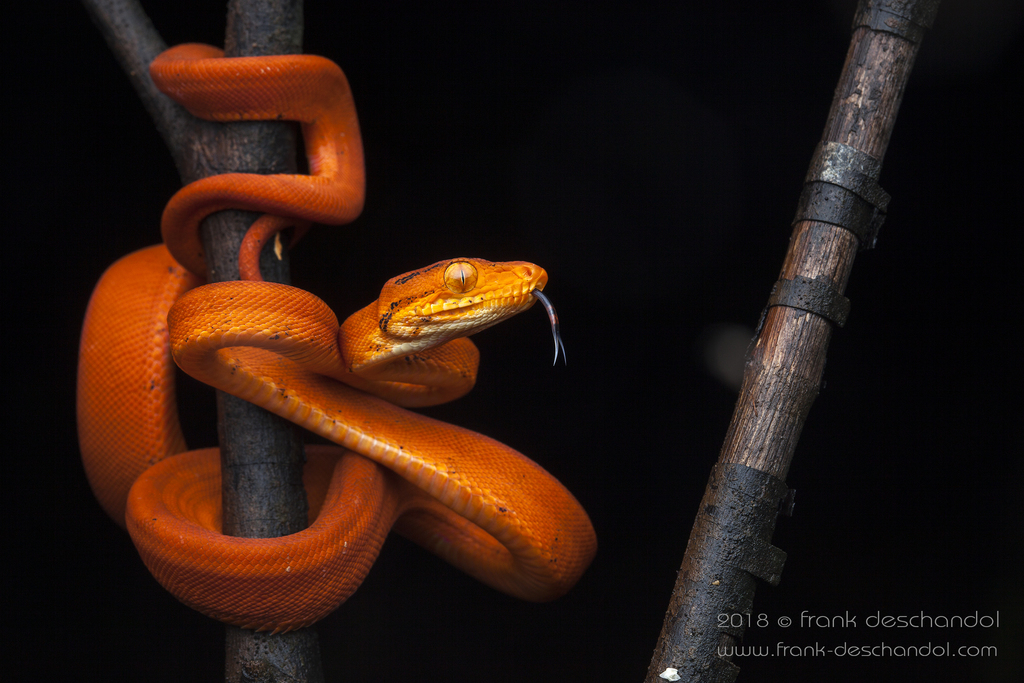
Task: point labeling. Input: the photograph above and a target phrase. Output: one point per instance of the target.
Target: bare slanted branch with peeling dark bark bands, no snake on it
(730, 545)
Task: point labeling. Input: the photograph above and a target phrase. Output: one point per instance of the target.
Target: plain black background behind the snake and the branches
(650, 156)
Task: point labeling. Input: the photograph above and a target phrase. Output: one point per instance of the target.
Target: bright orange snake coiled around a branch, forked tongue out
(475, 502)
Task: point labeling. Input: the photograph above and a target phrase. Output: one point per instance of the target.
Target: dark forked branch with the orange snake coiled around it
(262, 455)
